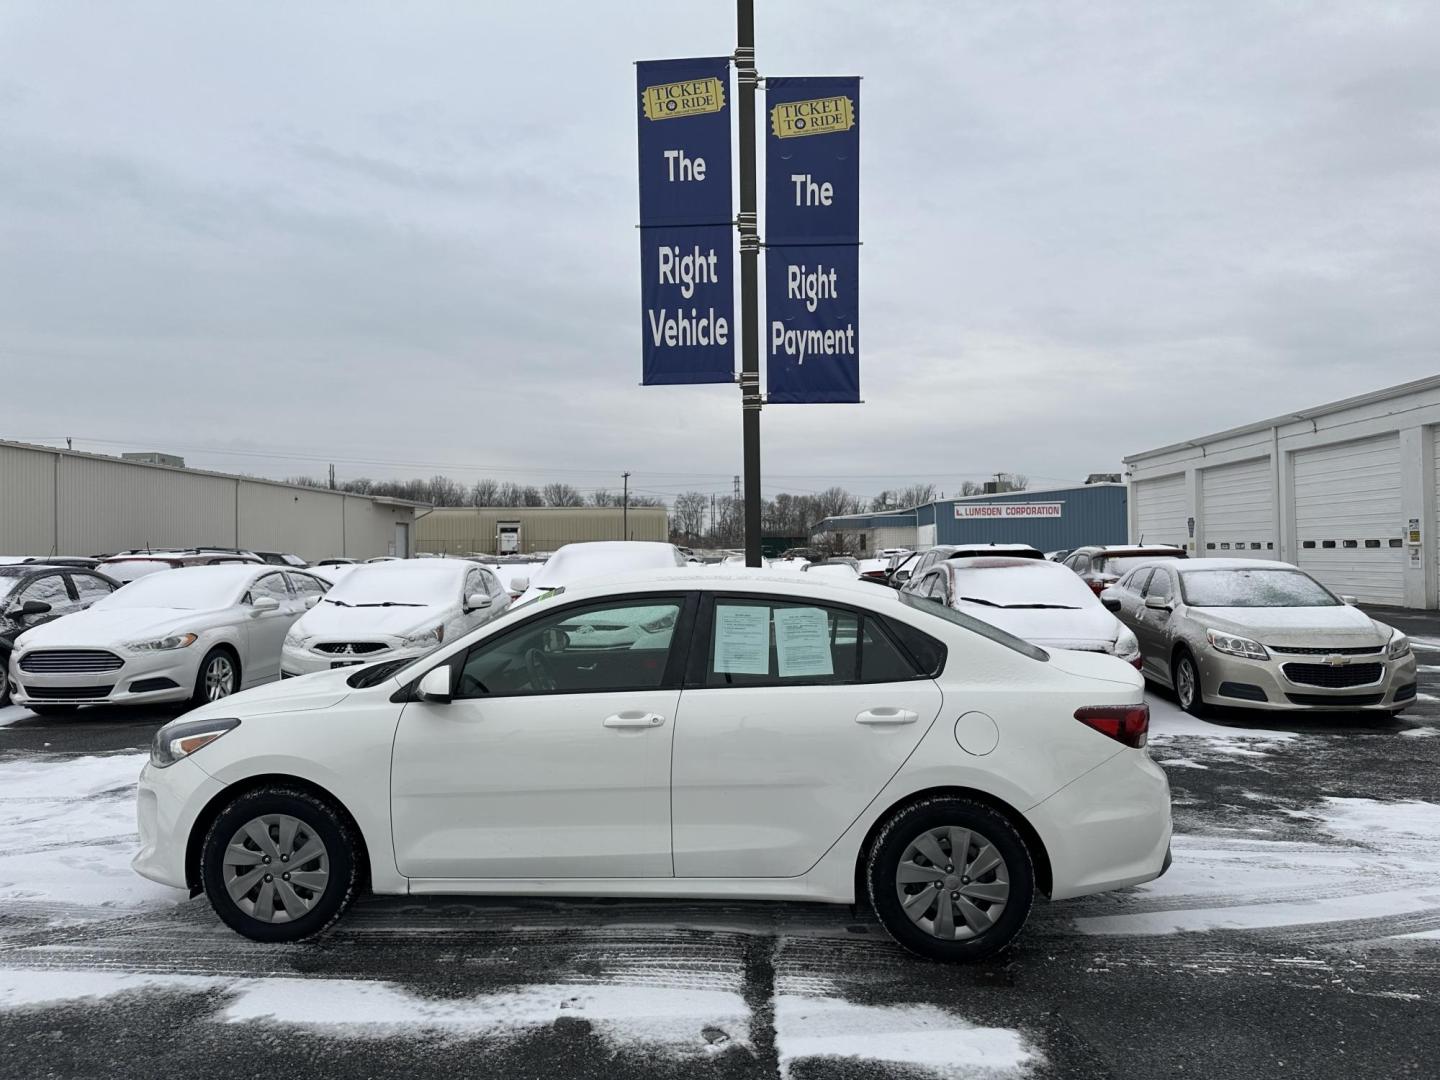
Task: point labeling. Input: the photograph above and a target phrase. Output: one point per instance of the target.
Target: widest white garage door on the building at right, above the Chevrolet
(1347, 518)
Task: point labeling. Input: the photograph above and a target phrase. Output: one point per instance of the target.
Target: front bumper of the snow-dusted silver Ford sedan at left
(161, 678)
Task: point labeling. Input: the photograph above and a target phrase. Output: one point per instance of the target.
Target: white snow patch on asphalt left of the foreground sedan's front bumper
(67, 837)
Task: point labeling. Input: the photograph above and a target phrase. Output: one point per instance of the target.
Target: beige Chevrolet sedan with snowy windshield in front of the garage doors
(1258, 634)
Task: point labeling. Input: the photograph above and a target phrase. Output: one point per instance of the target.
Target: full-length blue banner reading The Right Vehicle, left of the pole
(688, 230)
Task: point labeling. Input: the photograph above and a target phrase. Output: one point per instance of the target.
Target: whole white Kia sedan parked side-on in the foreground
(786, 739)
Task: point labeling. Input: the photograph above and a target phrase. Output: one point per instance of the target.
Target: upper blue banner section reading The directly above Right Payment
(813, 161)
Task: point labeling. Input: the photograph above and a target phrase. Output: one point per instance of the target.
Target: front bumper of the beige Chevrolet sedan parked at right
(1265, 683)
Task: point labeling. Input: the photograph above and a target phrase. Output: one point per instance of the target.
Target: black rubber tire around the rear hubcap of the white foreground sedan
(945, 813)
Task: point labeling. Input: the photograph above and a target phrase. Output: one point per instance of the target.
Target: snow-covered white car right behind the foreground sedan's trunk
(1035, 600)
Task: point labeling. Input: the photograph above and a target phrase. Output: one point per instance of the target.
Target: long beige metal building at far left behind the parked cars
(55, 502)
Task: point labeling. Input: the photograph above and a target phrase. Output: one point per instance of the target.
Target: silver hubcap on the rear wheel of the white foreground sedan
(953, 883)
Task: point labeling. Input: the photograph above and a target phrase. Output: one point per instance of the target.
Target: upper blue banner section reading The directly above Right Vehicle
(685, 142)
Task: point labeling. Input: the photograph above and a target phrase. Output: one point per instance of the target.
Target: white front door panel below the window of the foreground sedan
(535, 787)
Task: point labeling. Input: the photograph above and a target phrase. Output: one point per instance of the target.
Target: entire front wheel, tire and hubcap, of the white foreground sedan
(280, 865)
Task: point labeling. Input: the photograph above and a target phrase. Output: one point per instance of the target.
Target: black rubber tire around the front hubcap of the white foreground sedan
(318, 820)
